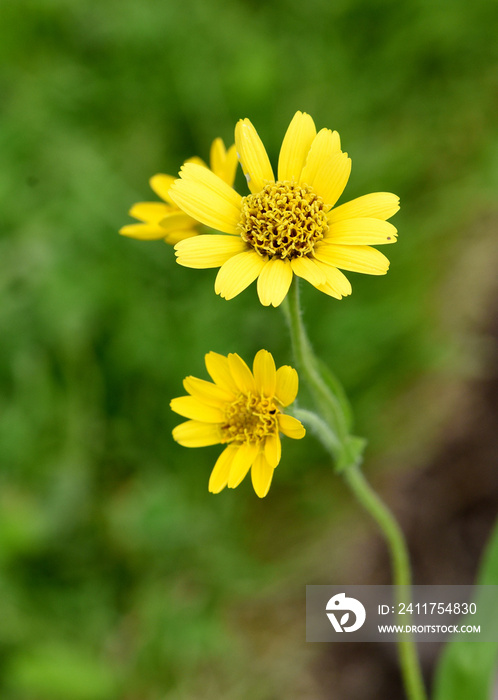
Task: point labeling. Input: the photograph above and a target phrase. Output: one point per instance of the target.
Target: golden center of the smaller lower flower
(249, 419)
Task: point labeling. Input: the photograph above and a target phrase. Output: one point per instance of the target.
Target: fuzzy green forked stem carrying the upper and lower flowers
(333, 432)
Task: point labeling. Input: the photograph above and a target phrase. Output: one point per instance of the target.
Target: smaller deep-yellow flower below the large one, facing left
(243, 410)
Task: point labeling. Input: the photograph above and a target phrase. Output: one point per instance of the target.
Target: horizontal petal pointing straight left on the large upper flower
(208, 250)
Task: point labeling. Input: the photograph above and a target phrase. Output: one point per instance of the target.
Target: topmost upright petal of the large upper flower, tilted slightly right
(295, 147)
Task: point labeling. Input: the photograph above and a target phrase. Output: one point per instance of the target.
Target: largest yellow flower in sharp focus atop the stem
(287, 226)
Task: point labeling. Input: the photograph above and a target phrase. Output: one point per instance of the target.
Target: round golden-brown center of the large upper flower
(284, 220)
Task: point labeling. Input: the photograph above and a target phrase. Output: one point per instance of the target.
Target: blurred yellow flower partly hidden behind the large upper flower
(165, 219)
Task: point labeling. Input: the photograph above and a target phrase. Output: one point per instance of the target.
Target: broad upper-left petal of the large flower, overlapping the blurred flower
(204, 196)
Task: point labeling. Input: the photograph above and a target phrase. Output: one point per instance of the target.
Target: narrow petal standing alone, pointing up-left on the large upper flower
(252, 155)
